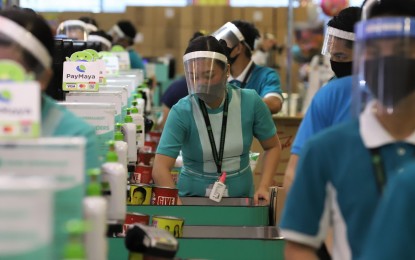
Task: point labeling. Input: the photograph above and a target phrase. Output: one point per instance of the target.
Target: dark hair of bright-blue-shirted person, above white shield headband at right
(346, 19)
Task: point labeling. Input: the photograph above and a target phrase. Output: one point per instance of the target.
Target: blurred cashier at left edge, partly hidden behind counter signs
(26, 38)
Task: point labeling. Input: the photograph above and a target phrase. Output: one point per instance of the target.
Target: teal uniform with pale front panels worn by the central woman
(185, 131)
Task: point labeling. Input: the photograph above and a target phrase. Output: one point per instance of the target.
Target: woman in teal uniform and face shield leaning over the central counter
(214, 127)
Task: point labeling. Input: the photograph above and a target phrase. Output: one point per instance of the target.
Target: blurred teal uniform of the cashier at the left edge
(58, 121)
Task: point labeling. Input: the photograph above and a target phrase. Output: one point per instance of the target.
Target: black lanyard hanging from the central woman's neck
(217, 157)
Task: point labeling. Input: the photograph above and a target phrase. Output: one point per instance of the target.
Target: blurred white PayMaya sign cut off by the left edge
(19, 110)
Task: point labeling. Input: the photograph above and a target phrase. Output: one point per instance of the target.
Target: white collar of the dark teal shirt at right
(373, 133)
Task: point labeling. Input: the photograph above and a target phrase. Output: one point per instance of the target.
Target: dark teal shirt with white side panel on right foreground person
(335, 183)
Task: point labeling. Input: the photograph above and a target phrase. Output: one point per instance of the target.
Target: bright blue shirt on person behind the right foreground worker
(330, 106)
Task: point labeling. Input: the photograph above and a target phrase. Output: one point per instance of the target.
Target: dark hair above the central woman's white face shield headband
(207, 43)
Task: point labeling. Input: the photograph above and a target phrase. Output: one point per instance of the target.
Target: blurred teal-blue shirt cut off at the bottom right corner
(392, 234)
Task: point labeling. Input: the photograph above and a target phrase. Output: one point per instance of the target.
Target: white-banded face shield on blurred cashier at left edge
(19, 45)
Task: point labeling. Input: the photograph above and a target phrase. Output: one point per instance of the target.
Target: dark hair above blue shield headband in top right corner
(393, 8)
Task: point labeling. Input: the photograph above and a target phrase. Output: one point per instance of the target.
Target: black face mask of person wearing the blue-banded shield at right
(396, 76)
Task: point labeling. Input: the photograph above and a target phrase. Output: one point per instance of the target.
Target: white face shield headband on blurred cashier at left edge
(26, 40)
